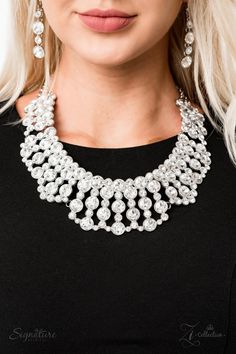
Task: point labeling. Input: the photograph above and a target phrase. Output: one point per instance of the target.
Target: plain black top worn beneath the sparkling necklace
(65, 290)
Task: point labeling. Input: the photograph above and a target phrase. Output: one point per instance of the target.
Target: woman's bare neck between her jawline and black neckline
(111, 106)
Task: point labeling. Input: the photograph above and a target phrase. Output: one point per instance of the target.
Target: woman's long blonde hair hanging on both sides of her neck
(210, 82)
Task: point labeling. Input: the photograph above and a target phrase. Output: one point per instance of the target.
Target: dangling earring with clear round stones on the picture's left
(38, 29)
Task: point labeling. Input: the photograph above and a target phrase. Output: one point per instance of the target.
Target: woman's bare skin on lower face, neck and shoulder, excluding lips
(113, 89)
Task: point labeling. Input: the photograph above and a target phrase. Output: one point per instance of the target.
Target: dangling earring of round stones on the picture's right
(189, 39)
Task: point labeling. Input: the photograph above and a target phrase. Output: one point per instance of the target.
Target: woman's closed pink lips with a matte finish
(106, 20)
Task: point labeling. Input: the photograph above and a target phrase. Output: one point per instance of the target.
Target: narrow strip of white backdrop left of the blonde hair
(4, 6)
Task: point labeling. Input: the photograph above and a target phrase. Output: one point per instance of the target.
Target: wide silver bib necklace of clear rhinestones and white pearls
(117, 206)
